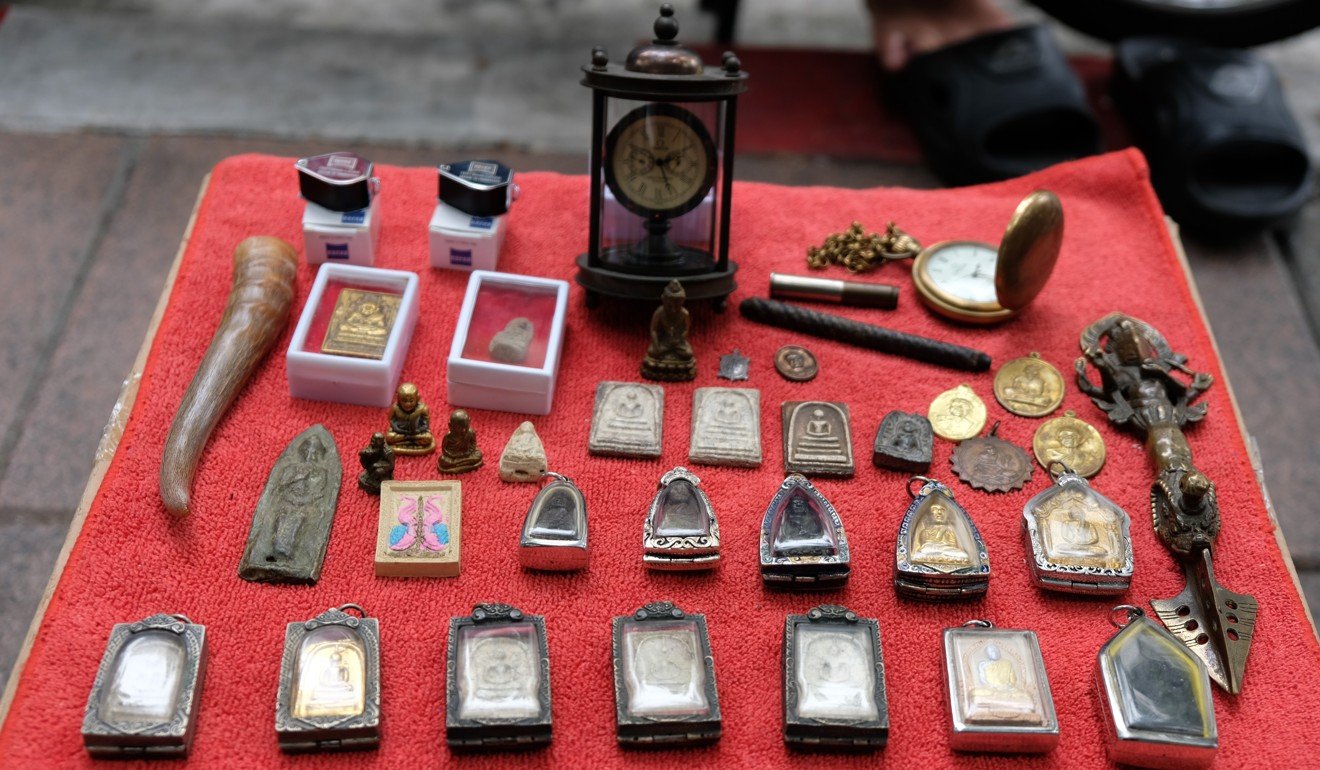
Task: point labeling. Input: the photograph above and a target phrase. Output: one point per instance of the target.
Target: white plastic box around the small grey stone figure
(494, 299)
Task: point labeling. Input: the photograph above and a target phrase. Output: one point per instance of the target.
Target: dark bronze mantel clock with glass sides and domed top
(662, 171)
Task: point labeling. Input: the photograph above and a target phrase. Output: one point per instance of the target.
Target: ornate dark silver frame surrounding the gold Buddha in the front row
(331, 734)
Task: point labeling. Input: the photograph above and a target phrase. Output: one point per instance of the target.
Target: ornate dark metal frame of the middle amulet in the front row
(665, 731)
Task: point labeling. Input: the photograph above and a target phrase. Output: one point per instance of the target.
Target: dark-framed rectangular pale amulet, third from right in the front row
(835, 681)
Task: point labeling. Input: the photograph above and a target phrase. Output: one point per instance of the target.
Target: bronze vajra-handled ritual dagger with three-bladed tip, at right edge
(1149, 390)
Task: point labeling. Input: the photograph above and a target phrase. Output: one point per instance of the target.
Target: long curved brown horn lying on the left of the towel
(257, 312)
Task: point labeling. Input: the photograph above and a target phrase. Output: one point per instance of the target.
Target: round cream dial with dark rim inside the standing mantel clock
(659, 160)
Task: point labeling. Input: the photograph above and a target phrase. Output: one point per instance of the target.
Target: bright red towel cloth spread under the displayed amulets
(133, 559)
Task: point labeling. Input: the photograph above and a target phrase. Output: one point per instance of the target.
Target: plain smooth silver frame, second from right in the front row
(1003, 738)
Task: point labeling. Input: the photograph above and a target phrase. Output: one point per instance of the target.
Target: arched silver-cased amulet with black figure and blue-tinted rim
(803, 546)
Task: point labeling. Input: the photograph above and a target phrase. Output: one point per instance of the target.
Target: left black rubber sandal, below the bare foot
(997, 106)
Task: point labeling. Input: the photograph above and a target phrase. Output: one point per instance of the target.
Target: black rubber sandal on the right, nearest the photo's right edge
(1226, 153)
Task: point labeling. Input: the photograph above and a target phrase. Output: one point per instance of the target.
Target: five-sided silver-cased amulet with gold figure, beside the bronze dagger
(1079, 540)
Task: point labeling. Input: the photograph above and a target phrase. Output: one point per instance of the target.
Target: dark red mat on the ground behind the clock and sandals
(824, 102)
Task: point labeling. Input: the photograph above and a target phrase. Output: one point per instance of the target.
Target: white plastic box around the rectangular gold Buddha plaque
(340, 378)
